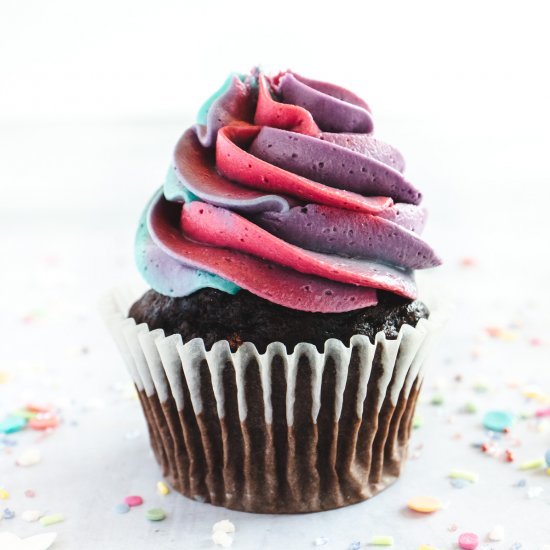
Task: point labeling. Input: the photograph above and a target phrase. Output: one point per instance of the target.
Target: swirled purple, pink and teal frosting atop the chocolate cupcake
(281, 189)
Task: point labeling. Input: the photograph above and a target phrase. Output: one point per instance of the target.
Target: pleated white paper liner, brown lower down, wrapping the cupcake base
(276, 432)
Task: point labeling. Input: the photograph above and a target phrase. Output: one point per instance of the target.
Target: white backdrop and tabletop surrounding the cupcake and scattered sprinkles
(93, 96)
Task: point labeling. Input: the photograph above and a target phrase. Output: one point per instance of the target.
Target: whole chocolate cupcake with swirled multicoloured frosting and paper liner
(279, 353)
